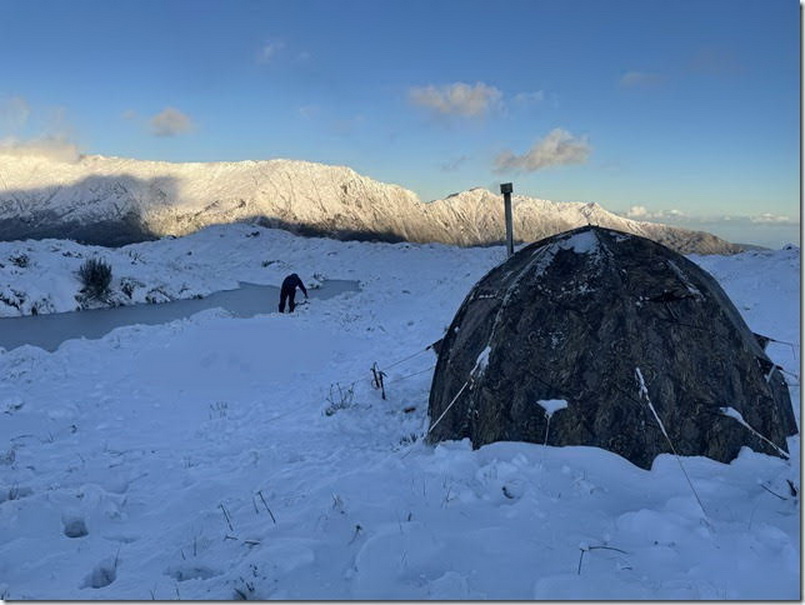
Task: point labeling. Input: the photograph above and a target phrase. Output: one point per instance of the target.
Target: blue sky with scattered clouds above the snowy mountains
(685, 111)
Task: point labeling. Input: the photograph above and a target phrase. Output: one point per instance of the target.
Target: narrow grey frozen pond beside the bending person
(48, 331)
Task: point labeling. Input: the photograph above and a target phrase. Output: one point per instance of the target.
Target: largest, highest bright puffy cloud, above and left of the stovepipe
(458, 99)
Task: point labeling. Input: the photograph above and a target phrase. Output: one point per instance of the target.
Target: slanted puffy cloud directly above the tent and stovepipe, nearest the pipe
(558, 148)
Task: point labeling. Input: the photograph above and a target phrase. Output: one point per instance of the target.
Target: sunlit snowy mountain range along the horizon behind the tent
(115, 201)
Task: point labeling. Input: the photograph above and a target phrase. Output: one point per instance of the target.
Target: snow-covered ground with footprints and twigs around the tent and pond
(218, 457)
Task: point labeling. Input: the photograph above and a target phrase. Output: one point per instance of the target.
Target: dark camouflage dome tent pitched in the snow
(600, 338)
